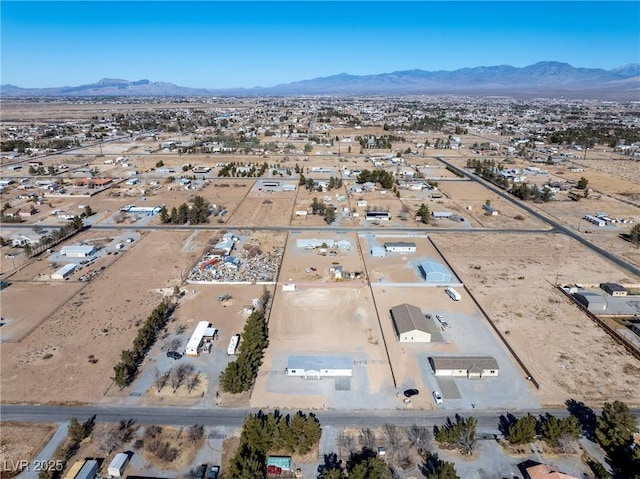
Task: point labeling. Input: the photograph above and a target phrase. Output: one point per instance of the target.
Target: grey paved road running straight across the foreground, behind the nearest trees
(487, 419)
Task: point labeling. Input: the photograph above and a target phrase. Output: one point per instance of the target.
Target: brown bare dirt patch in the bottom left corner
(21, 442)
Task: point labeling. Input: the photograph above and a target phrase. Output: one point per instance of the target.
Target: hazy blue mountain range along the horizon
(543, 79)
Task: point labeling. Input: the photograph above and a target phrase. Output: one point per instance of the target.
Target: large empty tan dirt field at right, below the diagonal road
(512, 276)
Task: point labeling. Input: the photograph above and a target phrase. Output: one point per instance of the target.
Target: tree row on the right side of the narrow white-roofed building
(240, 374)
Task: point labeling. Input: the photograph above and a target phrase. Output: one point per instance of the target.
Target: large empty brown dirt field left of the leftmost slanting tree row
(101, 321)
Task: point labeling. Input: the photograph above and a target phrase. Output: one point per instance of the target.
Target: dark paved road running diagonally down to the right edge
(557, 227)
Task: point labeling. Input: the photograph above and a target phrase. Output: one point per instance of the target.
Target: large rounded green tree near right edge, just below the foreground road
(615, 426)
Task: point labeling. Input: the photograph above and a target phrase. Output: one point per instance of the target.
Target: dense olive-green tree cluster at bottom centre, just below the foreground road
(263, 433)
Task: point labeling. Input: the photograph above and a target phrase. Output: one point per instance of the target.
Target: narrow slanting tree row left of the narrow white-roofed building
(126, 370)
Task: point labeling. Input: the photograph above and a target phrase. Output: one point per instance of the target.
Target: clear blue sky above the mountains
(245, 44)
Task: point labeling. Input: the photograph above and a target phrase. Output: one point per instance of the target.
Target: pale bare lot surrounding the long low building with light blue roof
(323, 321)
